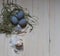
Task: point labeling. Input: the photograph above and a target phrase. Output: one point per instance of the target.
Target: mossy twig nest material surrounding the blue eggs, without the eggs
(9, 10)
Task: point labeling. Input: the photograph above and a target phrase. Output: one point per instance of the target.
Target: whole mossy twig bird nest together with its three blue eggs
(14, 19)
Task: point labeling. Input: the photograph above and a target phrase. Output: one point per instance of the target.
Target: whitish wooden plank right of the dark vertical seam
(55, 27)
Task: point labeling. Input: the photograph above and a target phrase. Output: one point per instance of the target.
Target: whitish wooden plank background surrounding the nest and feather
(44, 40)
